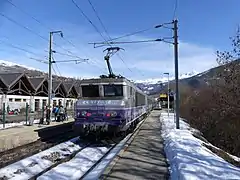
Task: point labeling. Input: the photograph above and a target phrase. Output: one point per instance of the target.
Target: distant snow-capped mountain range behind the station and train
(149, 86)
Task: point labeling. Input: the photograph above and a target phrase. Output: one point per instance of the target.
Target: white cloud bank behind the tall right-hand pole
(159, 58)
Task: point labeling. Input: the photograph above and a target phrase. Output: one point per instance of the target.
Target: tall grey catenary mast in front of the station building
(50, 72)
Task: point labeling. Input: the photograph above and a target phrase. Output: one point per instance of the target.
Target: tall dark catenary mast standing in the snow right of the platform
(176, 71)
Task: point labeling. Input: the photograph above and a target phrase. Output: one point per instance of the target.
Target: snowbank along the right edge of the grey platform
(188, 158)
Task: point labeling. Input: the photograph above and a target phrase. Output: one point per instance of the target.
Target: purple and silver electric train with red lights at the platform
(110, 105)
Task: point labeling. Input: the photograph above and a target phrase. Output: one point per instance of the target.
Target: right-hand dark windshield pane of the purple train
(113, 90)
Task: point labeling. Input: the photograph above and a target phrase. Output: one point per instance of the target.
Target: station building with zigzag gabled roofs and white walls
(17, 89)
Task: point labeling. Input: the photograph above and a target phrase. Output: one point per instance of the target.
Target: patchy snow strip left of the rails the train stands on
(33, 165)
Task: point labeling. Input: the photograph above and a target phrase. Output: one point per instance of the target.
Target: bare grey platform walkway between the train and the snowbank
(144, 158)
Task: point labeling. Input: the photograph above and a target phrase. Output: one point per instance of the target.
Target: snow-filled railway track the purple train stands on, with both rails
(91, 161)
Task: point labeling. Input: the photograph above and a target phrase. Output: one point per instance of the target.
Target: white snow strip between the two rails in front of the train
(76, 167)
